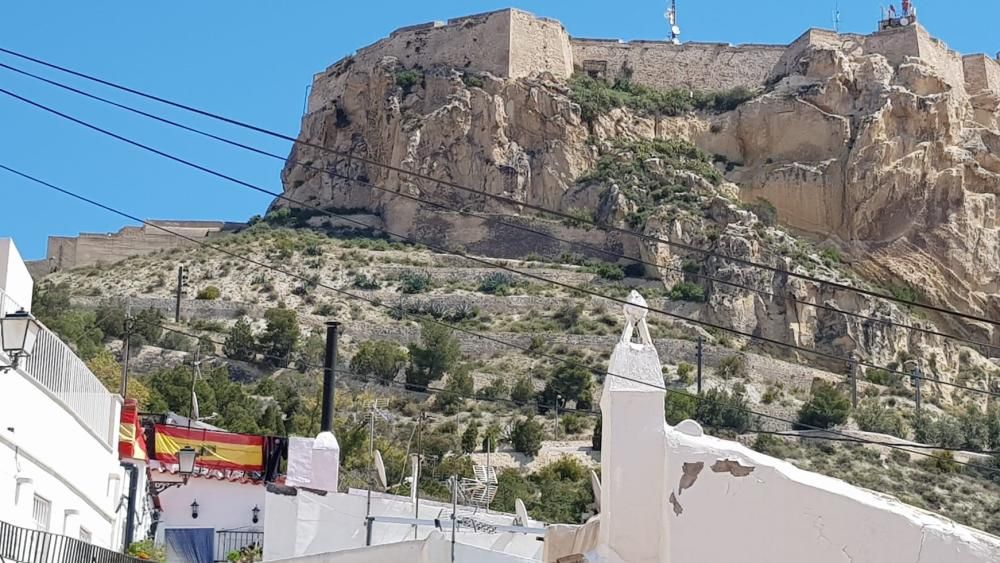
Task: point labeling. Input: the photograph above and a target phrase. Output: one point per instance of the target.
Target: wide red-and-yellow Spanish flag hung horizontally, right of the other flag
(216, 450)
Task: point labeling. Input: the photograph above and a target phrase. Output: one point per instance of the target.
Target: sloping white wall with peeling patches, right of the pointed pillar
(769, 510)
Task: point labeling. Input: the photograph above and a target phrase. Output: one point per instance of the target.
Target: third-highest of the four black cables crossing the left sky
(282, 196)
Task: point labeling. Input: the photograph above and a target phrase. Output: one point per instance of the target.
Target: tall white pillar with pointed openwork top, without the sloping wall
(633, 452)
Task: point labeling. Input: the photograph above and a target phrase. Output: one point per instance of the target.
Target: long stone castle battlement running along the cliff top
(515, 44)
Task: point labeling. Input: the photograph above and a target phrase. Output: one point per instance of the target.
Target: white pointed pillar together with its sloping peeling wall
(721, 501)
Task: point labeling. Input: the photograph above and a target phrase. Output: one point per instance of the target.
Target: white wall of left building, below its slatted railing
(50, 454)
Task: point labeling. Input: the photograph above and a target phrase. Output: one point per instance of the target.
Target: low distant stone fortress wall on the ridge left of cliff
(89, 249)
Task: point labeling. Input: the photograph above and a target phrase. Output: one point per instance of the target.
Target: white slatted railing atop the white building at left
(54, 365)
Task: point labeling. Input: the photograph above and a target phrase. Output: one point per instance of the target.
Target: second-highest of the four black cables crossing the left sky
(512, 224)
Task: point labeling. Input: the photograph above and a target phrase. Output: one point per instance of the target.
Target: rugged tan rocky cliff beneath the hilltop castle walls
(883, 158)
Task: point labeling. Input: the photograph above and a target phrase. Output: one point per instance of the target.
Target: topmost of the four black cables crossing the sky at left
(504, 199)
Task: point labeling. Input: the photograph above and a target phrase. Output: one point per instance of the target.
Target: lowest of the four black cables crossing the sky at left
(452, 327)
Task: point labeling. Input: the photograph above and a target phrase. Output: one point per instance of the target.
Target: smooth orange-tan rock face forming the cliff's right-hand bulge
(898, 161)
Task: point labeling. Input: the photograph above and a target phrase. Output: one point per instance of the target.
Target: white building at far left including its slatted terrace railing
(59, 465)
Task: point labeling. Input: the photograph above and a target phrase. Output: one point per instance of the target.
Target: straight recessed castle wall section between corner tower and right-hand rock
(659, 64)
